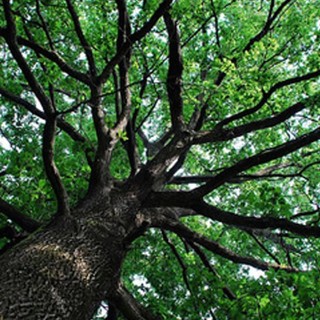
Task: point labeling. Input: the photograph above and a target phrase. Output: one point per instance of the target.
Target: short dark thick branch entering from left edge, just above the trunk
(25, 222)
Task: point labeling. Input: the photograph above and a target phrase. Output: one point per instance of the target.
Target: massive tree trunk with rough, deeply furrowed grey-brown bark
(64, 270)
